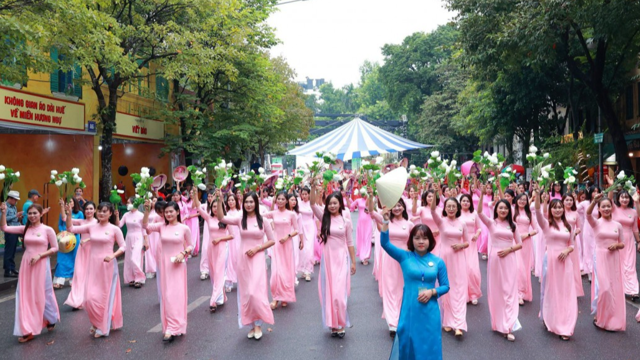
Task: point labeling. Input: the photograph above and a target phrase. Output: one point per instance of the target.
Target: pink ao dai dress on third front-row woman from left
(172, 277)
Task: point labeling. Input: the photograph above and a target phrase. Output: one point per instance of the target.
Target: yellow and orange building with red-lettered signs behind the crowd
(51, 123)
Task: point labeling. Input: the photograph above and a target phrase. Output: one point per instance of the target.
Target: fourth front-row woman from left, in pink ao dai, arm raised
(253, 297)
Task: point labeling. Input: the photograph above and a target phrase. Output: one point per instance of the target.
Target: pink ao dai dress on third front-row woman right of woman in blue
(559, 301)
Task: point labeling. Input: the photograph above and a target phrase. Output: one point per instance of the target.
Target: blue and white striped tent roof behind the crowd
(357, 139)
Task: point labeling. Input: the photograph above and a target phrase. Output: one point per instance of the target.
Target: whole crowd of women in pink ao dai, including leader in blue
(429, 272)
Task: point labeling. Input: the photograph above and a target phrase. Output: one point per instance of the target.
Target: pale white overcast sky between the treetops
(331, 39)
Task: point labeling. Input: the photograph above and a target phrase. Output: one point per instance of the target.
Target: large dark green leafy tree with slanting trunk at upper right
(597, 42)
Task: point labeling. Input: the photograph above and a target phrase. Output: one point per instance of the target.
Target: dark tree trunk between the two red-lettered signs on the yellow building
(108, 118)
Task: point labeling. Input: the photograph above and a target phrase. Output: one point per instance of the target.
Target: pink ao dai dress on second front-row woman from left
(102, 298)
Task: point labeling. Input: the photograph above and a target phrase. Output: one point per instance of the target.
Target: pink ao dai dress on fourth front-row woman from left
(253, 296)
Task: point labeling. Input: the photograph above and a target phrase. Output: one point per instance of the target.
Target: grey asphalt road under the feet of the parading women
(298, 332)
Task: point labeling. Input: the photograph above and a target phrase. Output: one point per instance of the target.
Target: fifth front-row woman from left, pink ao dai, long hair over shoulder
(338, 260)
